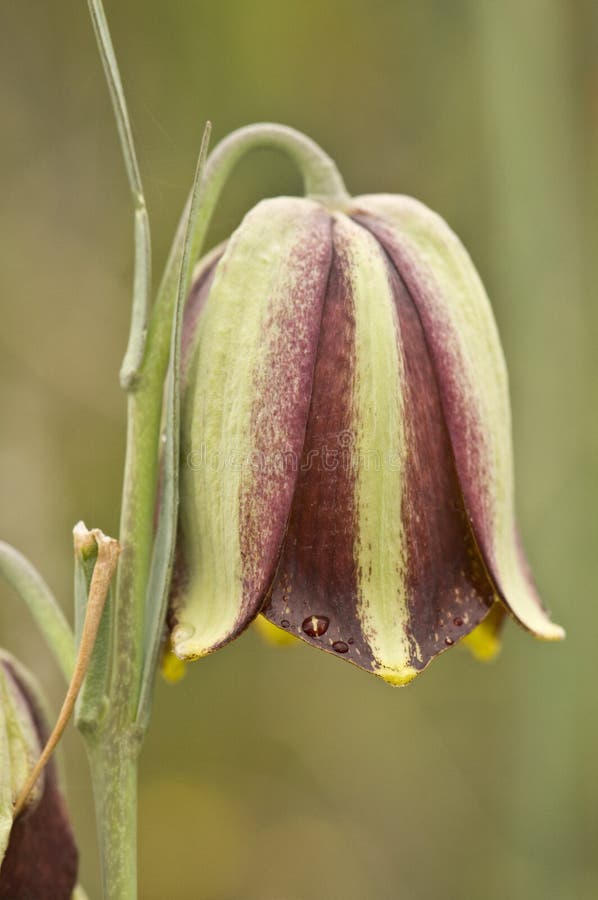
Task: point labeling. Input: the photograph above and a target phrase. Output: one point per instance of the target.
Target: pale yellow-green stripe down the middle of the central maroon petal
(379, 453)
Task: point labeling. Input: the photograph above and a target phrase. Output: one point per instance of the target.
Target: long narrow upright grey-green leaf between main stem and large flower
(163, 552)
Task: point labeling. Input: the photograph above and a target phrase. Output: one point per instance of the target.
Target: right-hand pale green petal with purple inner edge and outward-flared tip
(463, 343)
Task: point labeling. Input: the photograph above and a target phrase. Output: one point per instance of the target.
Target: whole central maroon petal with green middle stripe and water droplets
(379, 564)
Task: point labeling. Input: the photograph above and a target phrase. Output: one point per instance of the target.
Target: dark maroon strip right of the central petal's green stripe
(448, 589)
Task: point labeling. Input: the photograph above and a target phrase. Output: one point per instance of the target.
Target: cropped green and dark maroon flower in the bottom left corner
(38, 856)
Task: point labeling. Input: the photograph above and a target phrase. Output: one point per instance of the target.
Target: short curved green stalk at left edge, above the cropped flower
(24, 578)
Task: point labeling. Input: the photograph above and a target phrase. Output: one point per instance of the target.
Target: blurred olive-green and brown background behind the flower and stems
(284, 775)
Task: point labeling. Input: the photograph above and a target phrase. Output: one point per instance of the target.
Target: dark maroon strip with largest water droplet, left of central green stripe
(316, 581)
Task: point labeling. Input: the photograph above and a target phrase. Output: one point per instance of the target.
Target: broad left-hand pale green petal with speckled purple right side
(245, 406)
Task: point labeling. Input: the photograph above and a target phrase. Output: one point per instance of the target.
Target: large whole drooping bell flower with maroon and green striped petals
(347, 464)
